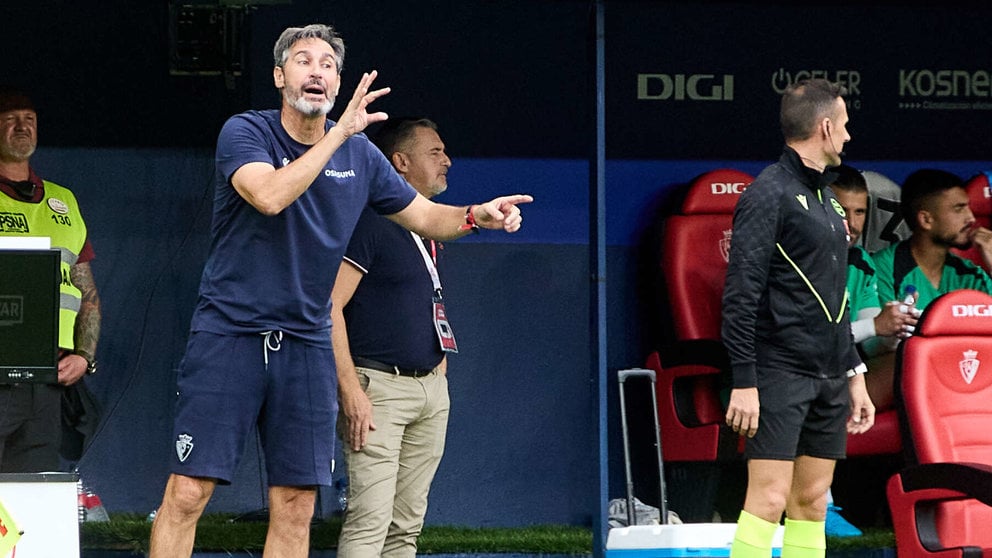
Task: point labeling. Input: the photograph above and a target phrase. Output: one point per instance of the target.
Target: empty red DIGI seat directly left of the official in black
(695, 250)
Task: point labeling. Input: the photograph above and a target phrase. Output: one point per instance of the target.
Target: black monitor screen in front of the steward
(29, 315)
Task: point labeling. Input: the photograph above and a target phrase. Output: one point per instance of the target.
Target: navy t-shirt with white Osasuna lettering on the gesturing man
(276, 272)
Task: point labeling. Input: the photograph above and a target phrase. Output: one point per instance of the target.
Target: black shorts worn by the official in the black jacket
(800, 415)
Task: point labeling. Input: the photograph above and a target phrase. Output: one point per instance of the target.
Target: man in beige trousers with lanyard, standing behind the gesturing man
(390, 347)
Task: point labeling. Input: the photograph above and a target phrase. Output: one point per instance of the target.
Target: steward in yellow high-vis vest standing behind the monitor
(32, 420)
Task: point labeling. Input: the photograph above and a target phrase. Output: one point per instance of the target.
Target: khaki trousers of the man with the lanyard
(388, 480)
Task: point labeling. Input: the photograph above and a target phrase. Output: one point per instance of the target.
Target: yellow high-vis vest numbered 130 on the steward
(57, 217)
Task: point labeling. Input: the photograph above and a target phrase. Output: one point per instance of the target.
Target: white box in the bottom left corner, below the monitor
(45, 507)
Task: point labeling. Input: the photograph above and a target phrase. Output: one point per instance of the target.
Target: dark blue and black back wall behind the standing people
(510, 84)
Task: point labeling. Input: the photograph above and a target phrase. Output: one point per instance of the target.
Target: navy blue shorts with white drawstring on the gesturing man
(226, 390)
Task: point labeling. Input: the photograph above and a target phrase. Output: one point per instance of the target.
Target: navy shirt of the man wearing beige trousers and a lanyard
(391, 315)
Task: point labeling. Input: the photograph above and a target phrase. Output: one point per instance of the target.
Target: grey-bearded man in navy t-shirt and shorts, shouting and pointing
(291, 185)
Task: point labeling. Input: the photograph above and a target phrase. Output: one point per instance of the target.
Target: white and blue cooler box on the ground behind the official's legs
(688, 540)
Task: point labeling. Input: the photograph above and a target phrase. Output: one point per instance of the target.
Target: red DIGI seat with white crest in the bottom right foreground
(940, 504)
